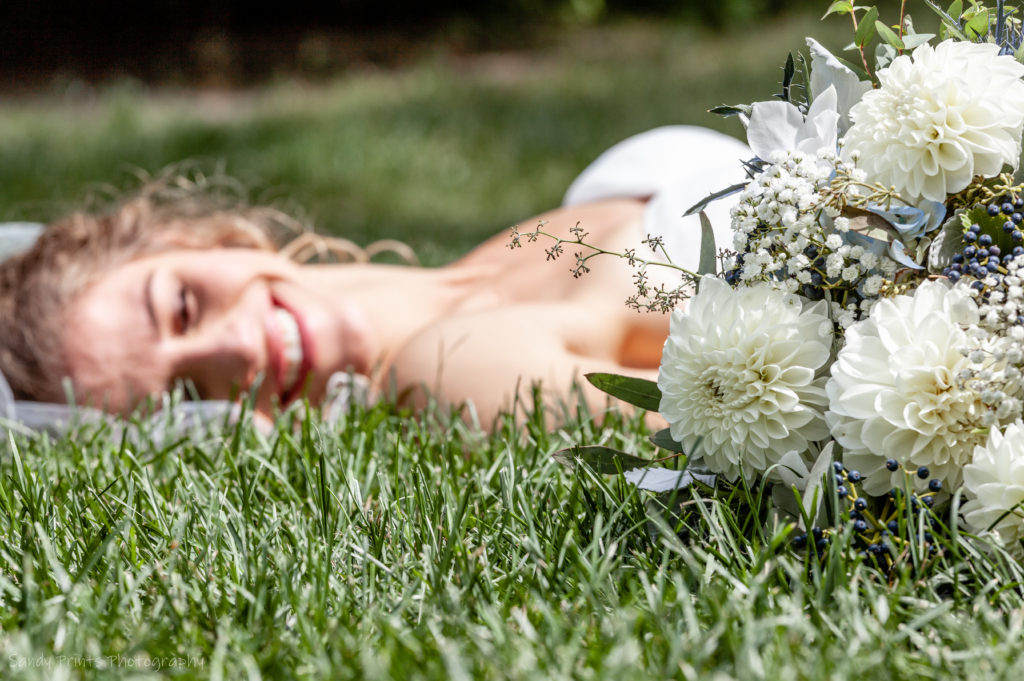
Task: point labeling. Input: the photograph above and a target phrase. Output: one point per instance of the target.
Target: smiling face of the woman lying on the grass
(219, 319)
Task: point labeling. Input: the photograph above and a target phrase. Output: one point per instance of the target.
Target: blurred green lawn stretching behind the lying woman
(442, 154)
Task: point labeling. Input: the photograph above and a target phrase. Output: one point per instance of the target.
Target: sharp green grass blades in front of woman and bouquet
(390, 547)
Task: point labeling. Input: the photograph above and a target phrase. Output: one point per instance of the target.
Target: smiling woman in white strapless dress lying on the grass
(129, 304)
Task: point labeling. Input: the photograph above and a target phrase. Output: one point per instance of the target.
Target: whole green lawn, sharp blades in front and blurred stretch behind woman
(416, 548)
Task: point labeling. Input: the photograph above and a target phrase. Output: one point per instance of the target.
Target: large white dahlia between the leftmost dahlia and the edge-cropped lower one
(893, 392)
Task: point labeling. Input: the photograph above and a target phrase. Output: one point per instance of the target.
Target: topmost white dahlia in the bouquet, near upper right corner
(953, 112)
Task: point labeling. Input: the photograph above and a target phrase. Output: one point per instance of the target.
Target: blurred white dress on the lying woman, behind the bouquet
(676, 167)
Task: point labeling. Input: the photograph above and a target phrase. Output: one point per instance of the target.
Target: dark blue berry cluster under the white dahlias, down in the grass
(880, 535)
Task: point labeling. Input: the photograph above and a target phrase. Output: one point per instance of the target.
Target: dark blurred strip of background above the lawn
(158, 40)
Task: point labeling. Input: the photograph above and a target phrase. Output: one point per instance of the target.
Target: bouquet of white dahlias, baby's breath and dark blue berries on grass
(869, 320)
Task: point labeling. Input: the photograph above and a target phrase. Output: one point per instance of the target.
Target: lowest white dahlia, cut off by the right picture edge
(995, 481)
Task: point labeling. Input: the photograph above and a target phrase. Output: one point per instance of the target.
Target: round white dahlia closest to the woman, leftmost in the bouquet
(740, 372)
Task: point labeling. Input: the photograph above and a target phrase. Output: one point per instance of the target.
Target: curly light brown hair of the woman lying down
(38, 287)
